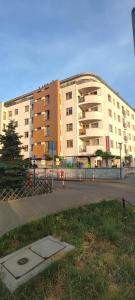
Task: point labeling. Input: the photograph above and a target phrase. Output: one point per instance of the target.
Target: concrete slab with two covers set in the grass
(20, 266)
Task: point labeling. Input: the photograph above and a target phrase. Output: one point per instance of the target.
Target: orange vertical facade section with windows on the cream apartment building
(47, 120)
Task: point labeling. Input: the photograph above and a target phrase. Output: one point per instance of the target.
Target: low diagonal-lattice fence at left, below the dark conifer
(40, 187)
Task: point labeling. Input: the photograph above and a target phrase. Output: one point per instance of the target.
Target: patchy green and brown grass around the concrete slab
(102, 266)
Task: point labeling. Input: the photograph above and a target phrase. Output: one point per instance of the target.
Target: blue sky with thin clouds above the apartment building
(44, 40)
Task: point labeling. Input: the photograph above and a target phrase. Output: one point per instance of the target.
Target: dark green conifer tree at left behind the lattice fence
(13, 169)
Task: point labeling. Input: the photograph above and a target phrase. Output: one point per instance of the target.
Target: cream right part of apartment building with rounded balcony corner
(95, 117)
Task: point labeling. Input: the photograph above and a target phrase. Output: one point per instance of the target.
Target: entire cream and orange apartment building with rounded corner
(73, 118)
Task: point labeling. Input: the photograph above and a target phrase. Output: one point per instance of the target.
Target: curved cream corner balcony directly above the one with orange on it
(90, 116)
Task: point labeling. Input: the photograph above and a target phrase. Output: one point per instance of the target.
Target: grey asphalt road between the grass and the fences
(74, 194)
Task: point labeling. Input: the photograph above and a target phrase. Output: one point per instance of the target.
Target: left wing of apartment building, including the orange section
(37, 118)
